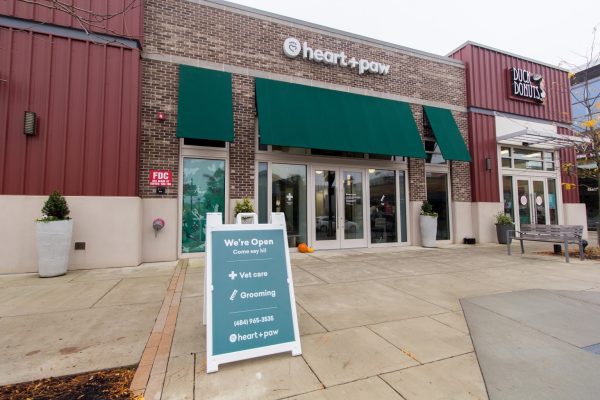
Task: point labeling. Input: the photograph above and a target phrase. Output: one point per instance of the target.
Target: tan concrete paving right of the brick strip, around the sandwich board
(380, 323)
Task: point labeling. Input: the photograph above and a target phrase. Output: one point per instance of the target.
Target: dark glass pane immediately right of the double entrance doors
(382, 188)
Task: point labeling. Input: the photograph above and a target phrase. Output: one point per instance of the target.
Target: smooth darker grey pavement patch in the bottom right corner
(542, 344)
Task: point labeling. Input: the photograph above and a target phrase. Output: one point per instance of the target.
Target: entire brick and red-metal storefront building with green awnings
(214, 102)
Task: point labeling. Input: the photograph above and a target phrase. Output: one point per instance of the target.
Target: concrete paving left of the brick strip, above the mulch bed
(79, 322)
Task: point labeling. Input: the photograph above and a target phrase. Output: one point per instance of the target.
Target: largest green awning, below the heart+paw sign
(309, 117)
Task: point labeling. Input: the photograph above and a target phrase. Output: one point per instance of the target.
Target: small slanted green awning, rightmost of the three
(447, 135)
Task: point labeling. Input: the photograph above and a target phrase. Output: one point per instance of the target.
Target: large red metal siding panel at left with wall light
(86, 97)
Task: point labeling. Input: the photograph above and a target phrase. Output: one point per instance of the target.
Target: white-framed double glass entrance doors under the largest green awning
(339, 208)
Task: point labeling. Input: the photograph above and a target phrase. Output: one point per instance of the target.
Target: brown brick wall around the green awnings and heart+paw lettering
(194, 31)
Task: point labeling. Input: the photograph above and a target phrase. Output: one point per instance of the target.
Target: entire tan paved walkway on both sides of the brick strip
(381, 323)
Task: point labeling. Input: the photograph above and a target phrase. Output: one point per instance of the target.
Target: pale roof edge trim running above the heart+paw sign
(380, 43)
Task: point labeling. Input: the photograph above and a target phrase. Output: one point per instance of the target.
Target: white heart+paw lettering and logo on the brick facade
(292, 48)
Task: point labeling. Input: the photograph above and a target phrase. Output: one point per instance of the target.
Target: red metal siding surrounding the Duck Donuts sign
(489, 87)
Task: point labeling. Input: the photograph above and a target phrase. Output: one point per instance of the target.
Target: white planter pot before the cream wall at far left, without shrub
(53, 247)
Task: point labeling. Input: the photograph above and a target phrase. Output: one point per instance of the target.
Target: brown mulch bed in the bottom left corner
(100, 385)
